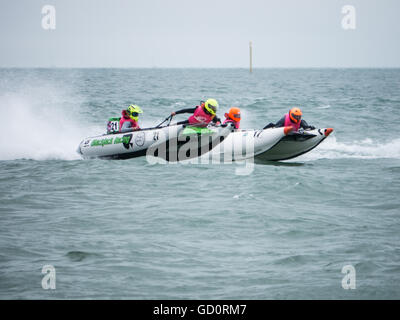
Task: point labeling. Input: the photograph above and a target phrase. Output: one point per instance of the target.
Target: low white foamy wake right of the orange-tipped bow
(364, 149)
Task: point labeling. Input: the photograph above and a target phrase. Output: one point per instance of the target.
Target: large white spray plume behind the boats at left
(34, 128)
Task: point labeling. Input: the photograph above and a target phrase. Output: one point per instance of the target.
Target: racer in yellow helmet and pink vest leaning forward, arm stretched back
(202, 114)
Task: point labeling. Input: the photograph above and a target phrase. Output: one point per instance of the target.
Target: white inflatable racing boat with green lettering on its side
(171, 143)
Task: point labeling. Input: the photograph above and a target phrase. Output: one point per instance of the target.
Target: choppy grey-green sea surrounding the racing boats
(325, 225)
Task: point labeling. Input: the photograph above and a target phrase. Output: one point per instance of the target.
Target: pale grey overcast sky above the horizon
(201, 33)
